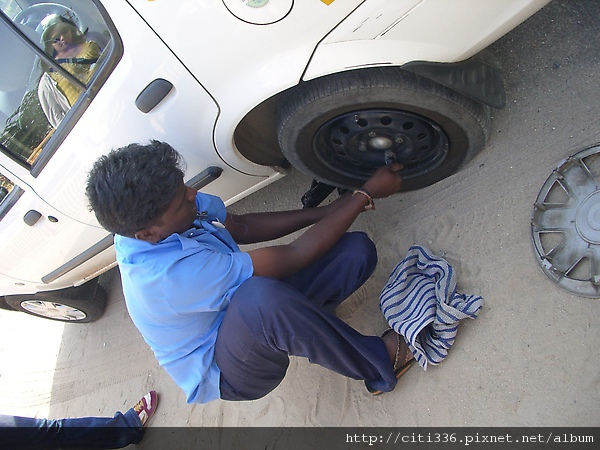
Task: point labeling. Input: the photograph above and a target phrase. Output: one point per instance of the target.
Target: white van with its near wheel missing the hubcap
(243, 89)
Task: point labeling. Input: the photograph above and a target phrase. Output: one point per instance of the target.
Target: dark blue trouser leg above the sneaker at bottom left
(82, 432)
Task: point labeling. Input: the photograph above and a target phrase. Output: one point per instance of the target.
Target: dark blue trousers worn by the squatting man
(268, 320)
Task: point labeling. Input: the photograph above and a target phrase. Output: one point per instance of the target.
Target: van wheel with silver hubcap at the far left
(82, 304)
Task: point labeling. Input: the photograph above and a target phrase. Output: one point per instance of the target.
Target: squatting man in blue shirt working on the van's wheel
(223, 322)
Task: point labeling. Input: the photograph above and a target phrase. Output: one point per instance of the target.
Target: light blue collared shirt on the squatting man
(177, 292)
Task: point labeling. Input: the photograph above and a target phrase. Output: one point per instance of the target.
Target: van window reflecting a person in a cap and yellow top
(51, 55)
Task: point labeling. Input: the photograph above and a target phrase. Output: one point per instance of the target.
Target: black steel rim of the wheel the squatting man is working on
(356, 143)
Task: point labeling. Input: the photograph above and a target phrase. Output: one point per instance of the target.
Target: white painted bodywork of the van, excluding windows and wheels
(223, 58)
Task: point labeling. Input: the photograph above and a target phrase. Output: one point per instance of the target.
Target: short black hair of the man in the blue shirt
(130, 188)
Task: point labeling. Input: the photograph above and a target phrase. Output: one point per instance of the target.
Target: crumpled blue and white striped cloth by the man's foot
(420, 302)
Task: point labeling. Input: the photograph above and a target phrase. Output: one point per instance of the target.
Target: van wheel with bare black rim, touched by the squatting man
(339, 129)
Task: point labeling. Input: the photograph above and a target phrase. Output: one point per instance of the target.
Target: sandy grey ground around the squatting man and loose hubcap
(529, 359)
